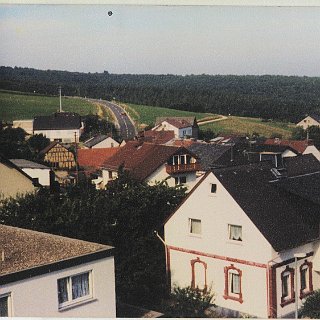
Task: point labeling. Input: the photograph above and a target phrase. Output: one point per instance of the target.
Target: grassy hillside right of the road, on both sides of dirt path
(236, 125)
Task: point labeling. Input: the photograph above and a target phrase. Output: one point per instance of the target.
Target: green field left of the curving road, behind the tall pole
(17, 106)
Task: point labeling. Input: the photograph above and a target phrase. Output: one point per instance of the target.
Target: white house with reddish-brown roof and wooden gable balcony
(153, 163)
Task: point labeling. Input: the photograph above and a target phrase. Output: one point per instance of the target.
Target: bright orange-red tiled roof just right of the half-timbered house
(94, 158)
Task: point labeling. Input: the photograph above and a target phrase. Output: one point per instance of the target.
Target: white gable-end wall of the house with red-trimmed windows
(216, 211)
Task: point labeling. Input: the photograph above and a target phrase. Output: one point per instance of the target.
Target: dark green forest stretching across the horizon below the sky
(275, 97)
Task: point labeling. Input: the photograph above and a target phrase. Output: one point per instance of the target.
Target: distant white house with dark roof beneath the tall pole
(64, 127)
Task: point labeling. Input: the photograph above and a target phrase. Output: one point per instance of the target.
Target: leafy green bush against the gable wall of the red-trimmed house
(189, 303)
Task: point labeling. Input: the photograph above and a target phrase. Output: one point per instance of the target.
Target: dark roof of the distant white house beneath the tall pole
(57, 121)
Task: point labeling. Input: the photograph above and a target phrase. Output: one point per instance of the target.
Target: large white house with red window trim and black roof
(237, 232)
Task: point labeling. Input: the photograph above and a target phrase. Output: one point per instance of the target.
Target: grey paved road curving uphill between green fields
(127, 129)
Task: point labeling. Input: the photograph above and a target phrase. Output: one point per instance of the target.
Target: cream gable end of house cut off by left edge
(14, 180)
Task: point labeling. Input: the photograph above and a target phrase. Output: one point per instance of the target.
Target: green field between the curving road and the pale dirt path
(146, 115)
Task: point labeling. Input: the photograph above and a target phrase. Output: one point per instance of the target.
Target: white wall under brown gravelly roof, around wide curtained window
(38, 297)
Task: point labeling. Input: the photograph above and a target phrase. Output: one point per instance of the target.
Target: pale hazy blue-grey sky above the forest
(140, 39)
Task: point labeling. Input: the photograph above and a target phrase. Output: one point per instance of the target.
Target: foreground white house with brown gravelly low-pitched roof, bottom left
(44, 275)
